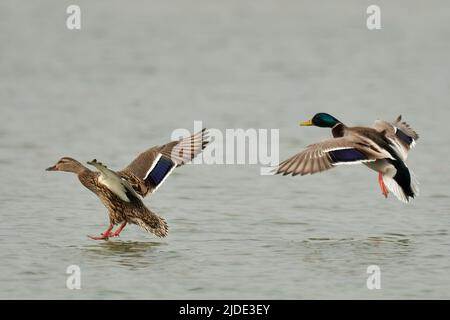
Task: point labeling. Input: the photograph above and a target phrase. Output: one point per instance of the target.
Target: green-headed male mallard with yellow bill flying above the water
(383, 147)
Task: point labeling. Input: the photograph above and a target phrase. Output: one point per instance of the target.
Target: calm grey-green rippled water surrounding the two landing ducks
(137, 71)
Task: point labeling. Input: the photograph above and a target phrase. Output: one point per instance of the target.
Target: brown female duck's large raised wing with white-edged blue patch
(150, 169)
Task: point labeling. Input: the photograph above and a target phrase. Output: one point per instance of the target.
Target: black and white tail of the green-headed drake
(404, 184)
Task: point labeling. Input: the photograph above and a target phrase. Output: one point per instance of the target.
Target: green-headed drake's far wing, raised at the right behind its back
(399, 133)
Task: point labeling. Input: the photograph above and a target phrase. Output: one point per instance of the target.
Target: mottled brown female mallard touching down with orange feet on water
(121, 191)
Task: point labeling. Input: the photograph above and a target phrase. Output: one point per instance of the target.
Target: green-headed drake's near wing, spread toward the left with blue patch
(329, 153)
